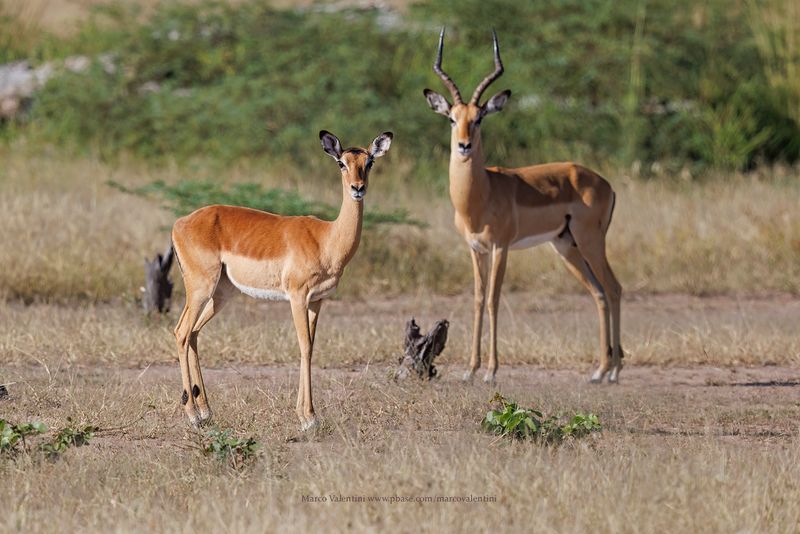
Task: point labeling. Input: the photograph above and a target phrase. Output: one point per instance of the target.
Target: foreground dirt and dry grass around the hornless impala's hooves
(678, 453)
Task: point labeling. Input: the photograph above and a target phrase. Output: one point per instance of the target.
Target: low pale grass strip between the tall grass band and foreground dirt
(550, 332)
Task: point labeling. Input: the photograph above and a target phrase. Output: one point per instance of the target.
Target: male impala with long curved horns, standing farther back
(498, 209)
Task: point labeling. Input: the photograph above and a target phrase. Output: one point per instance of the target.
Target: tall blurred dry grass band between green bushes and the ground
(71, 237)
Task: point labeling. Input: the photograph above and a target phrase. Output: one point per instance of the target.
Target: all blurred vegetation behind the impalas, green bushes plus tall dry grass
(692, 110)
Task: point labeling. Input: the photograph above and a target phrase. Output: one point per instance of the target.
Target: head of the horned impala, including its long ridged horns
(465, 119)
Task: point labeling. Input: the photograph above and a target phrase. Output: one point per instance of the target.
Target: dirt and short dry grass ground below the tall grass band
(700, 435)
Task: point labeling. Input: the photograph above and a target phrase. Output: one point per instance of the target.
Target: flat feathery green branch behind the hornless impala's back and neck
(186, 196)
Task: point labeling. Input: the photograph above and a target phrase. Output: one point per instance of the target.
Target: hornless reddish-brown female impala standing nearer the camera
(299, 259)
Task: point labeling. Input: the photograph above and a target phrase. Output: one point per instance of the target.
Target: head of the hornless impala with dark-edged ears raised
(355, 163)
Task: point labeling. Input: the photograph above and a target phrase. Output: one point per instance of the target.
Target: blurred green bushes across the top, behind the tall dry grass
(687, 85)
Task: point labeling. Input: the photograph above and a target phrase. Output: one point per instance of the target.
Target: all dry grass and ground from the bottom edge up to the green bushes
(699, 448)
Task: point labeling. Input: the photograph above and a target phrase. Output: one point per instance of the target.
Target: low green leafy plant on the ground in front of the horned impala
(526, 423)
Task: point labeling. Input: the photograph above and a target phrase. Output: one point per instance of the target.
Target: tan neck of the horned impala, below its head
(469, 184)
